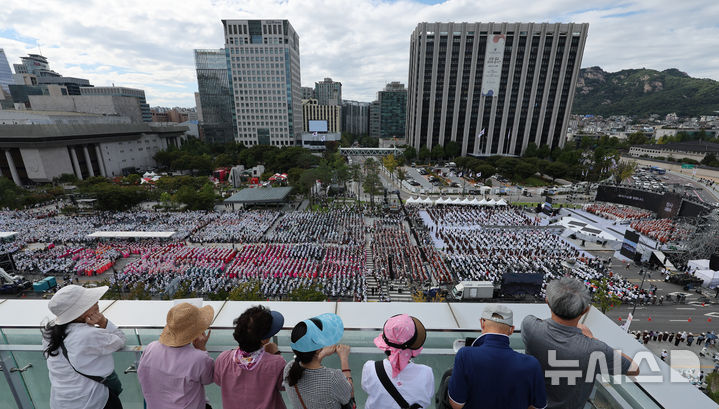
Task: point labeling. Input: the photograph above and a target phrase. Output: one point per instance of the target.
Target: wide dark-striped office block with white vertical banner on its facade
(492, 87)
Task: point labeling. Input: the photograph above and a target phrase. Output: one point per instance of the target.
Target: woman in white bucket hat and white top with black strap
(78, 345)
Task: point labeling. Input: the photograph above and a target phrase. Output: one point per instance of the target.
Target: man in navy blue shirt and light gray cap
(490, 374)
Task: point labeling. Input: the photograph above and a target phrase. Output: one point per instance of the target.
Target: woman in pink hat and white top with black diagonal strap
(397, 382)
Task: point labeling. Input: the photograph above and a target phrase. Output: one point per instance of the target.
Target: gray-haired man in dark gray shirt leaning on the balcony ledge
(568, 352)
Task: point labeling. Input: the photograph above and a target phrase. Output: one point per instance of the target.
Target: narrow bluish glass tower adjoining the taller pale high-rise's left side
(215, 96)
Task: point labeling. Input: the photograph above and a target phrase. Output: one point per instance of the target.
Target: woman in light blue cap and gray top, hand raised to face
(309, 384)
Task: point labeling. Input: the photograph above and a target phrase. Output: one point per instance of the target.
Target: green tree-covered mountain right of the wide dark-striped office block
(642, 92)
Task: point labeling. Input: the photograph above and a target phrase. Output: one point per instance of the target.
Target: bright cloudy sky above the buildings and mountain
(364, 44)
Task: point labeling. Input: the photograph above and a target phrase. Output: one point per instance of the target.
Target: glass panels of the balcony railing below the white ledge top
(28, 387)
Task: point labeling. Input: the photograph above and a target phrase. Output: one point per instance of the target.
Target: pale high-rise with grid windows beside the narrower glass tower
(264, 62)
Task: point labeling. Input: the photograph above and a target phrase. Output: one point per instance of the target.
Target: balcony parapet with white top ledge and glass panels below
(25, 383)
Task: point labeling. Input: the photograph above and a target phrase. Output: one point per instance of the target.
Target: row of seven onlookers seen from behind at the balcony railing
(173, 370)
